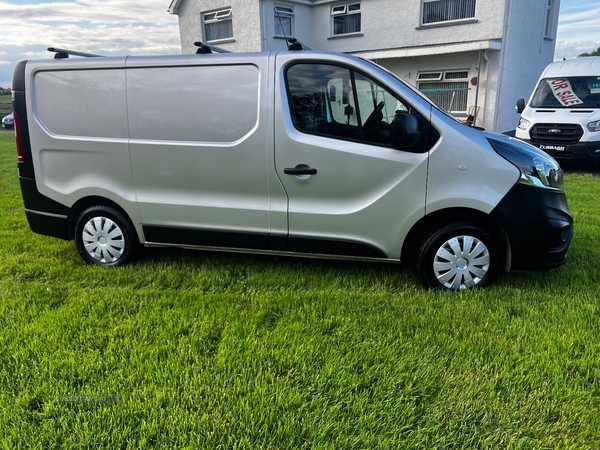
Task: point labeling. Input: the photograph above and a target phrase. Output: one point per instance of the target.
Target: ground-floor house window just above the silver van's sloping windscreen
(449, 90)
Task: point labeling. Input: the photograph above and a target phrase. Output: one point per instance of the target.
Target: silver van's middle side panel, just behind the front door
(198, 151)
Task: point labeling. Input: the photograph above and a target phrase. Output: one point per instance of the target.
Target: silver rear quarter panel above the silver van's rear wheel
(78, 130)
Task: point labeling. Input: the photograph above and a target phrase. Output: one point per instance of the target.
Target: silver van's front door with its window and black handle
(349, 192)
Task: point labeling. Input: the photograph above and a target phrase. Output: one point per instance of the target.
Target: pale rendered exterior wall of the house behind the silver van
(505, 38)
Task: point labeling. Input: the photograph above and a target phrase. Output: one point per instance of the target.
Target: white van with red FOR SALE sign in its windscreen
(562, 116)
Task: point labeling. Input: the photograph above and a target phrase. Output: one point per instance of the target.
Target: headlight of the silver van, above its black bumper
(537, 168)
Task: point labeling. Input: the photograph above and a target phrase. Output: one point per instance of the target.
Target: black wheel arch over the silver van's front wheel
(438, 219)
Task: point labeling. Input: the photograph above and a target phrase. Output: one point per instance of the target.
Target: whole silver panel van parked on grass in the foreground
(301, 153)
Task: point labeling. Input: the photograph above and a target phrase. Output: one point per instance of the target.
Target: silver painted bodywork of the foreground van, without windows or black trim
(201, 141)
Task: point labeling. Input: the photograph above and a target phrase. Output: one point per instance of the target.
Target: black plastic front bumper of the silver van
(538, 224)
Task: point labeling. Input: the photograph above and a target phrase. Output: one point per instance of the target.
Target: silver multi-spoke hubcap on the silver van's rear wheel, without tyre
(103, 240)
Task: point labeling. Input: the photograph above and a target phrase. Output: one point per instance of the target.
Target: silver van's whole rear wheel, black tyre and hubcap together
(103, 236)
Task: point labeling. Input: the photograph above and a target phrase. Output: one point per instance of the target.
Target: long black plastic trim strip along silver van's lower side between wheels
(258, 241)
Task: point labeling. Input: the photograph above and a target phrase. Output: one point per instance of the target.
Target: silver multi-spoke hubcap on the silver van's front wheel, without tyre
(461, 262)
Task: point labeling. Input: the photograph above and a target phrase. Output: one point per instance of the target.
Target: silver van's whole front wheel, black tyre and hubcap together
(457, 256)
